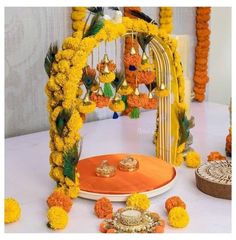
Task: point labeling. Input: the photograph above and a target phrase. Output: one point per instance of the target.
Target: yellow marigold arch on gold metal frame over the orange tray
(63, 96)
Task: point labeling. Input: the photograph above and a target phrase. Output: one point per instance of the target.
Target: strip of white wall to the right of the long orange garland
(219, 87)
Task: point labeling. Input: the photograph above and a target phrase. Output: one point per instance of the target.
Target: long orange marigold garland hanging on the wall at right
(201, 52)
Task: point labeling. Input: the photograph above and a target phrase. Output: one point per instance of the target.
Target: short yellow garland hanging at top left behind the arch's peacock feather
(77, 16)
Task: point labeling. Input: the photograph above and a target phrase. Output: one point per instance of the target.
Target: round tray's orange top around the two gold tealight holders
(153, 173)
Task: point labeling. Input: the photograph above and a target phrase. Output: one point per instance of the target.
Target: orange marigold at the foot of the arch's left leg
(59, 199)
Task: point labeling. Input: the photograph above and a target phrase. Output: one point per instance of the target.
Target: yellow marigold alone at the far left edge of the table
(12, 210)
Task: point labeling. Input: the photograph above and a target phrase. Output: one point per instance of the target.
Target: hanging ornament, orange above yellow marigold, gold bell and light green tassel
(106, 70)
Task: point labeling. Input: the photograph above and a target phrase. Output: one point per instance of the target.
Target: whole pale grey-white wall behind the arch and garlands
(29, 32)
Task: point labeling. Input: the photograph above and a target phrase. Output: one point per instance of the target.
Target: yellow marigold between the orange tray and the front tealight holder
(138, 200)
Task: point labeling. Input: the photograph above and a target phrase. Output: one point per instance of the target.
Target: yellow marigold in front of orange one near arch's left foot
(57, 218)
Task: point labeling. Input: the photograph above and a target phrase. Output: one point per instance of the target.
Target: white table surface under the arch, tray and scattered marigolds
(27, 168)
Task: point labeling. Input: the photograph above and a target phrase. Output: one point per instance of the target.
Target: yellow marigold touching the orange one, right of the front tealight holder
(178, 217)
